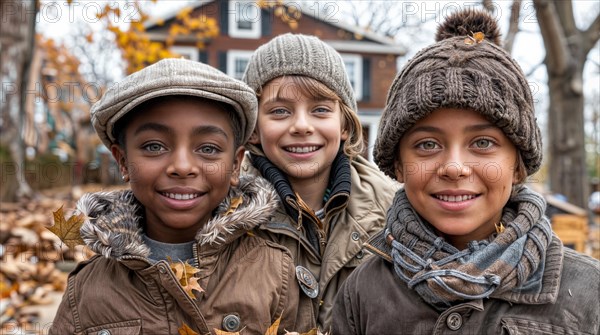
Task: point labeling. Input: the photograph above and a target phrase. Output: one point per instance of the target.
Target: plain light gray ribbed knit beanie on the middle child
(296, 54)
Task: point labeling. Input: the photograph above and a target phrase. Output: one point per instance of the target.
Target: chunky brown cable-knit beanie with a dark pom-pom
(465, 69)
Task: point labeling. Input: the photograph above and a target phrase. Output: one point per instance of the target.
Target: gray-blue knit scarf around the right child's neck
(512, 261)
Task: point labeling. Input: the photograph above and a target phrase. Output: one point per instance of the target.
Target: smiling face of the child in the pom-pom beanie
(458, 170)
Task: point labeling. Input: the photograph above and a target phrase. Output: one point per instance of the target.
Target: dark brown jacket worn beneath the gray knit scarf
(374, 300)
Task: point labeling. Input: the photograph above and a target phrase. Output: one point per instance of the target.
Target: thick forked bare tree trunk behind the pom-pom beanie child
(567, 49)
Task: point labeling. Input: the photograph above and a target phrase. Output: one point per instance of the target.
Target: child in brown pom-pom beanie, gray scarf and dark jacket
(466, 248)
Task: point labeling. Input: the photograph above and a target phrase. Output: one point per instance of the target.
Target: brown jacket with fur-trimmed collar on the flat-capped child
(248, 282)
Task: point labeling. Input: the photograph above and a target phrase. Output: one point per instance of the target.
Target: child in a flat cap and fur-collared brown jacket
(176, 250)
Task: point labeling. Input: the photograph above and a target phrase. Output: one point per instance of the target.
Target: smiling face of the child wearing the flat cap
(180, 157)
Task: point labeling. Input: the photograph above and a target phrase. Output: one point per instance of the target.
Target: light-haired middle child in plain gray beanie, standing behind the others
(307, 143)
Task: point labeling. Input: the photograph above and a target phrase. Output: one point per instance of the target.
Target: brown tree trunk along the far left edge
(16, 45)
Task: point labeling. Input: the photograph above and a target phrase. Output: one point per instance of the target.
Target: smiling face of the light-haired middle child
(299, 132)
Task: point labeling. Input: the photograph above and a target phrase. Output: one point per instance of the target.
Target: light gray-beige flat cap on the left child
(173, 77)
